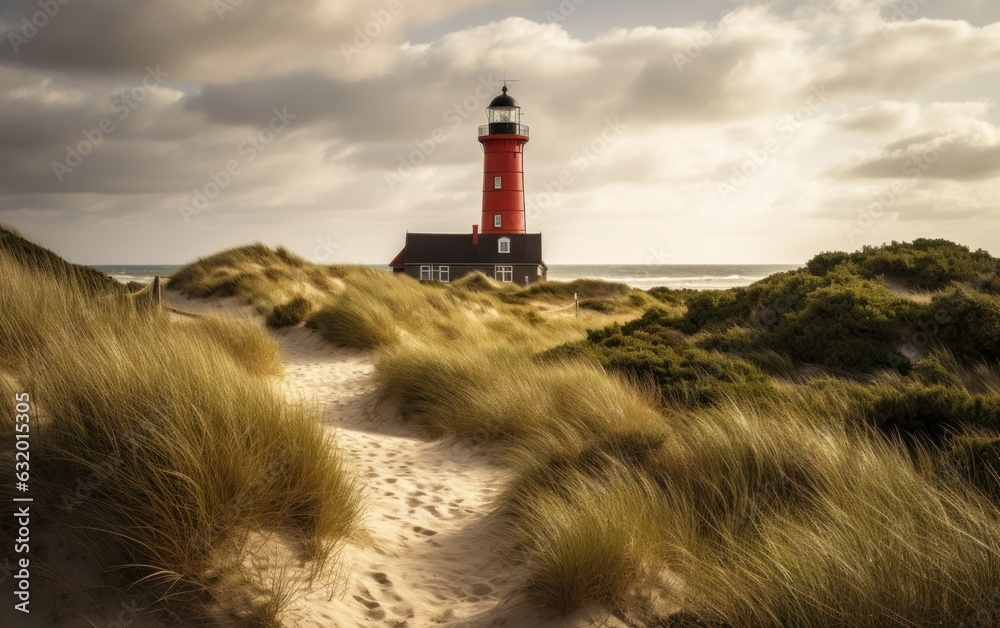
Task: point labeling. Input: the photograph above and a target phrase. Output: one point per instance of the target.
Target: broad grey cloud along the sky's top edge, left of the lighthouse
(219, 39)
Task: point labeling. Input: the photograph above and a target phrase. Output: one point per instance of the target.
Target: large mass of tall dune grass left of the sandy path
(169, 453)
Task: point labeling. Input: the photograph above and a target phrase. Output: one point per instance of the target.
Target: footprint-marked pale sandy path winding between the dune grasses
(430, 558)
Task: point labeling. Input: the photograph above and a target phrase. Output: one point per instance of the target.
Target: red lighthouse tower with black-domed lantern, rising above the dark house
(503, 141)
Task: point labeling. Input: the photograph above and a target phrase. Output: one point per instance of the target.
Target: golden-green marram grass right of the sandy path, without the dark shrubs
(746, 512)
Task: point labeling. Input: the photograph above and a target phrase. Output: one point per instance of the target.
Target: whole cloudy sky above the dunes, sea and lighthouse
(708, 131)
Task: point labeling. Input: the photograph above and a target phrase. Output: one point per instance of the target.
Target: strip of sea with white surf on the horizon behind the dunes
(643, 276)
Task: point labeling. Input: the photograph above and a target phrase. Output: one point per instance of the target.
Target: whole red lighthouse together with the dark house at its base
(503, 250)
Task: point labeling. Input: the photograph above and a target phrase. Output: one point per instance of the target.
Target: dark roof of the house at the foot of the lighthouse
(457, 248)
